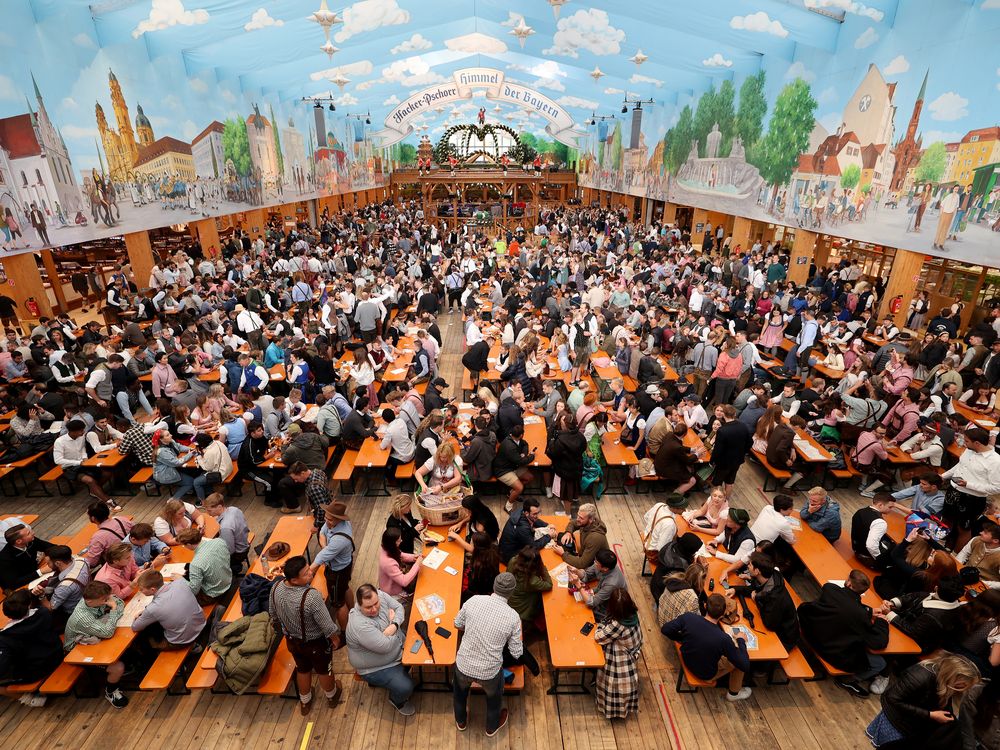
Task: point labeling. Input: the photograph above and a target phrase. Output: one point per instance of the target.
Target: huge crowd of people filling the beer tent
(283, 342)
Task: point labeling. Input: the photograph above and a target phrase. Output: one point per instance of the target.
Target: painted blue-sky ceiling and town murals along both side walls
(877, 121)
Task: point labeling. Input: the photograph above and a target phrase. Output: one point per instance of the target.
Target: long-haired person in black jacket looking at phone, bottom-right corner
(930, 705)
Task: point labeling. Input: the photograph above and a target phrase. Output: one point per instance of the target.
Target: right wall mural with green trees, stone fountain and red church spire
(900, 147)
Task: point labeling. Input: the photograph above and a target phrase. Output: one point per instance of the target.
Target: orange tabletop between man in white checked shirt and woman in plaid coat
(564, 616)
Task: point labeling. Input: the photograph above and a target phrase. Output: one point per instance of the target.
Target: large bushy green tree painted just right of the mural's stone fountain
(777, 153)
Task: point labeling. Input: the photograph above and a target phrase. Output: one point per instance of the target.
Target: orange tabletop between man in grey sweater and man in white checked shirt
(448, 587)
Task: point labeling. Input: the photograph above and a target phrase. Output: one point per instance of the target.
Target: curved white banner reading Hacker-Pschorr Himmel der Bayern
(398, 121)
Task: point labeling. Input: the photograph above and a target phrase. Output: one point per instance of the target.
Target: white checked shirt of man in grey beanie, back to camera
(489, 624)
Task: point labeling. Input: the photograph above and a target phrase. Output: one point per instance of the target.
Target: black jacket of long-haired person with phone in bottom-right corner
(911, 697)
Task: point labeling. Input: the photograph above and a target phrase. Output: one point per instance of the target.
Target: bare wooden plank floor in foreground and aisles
(800, 715)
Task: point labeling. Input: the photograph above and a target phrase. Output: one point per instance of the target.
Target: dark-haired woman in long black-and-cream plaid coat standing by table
(621, 638)
